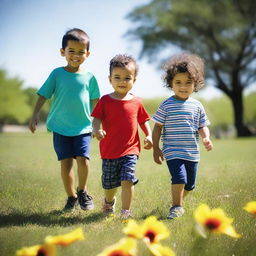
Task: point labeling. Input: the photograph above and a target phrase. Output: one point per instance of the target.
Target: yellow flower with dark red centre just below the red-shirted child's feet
(153, 230)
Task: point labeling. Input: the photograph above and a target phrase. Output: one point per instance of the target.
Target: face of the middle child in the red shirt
(122, 79)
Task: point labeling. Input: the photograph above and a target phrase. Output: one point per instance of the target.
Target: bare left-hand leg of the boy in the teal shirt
(67, 176)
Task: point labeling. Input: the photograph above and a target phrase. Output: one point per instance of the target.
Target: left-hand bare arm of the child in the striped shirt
(157, 152)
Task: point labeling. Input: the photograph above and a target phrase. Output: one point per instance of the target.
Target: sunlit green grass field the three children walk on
(32, 195)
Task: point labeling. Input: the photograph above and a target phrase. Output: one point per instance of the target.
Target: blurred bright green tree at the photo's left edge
(13, 102)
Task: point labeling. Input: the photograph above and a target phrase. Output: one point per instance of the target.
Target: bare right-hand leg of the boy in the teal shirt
(82, 171)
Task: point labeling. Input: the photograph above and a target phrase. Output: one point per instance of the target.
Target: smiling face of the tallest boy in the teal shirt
(75, 54)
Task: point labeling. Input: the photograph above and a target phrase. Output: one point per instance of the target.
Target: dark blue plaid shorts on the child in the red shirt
(116, 170)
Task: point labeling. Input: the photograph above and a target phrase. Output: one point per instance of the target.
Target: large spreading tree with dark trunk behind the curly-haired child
(223, 32)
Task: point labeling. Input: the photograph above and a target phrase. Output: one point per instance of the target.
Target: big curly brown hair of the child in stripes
(185, 62)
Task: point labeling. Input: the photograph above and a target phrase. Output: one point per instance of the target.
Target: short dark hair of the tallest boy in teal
(76, 34)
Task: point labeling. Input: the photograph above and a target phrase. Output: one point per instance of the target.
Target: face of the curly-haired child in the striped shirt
(182, 85)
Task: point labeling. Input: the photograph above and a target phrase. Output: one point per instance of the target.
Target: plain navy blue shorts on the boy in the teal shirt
(72, 146)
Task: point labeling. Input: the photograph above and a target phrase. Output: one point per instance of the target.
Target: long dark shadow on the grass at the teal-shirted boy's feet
(52, 218)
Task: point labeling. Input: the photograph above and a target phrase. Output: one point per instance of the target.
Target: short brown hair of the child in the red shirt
(121, 61)
